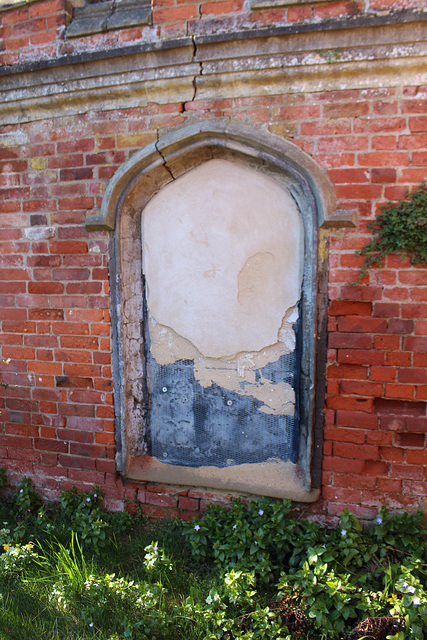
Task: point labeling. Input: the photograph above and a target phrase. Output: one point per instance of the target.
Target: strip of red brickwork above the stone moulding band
(36, 31)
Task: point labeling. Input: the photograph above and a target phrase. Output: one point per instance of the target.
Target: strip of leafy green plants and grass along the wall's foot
(250, 572)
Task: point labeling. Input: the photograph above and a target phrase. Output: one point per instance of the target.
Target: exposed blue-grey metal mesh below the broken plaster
(194, 426)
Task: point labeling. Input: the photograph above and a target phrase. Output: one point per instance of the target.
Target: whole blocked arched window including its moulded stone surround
(215, 309)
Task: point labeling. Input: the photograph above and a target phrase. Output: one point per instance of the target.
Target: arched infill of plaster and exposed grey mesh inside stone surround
(223, 253)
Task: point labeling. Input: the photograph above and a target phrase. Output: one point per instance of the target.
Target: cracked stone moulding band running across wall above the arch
(370, 51)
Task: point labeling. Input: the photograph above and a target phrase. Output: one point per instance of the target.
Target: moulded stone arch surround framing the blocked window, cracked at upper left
(175, 153)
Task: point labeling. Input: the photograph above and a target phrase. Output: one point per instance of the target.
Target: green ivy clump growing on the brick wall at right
(401, 227)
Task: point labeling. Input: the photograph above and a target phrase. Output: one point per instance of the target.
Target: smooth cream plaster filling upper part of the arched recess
(222, 257)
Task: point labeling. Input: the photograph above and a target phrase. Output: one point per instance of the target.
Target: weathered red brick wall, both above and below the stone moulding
(57, 414)
